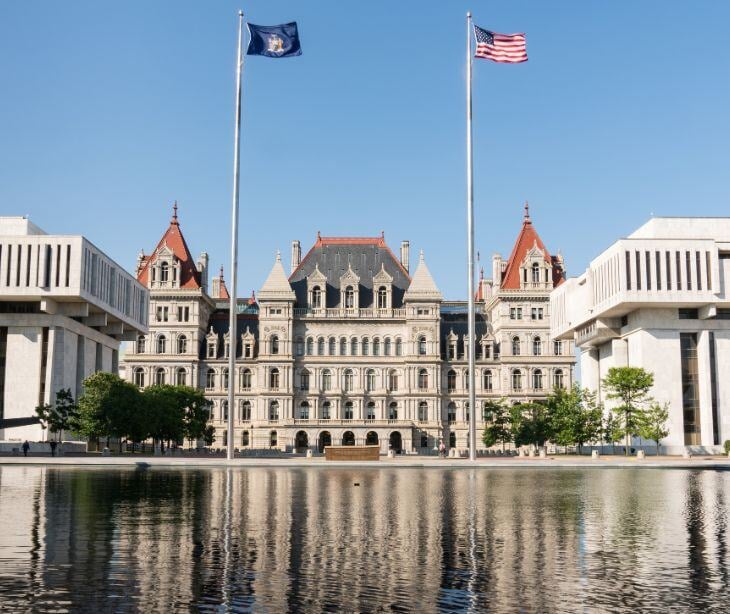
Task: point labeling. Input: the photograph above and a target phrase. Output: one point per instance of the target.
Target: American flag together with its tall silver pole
(506, 49)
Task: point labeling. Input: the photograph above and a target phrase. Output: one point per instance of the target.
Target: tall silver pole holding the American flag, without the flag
(470, 244)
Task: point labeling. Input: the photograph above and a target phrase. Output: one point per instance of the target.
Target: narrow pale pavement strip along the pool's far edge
(551, 462)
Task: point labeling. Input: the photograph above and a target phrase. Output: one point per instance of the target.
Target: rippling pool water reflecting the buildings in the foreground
(275, 540)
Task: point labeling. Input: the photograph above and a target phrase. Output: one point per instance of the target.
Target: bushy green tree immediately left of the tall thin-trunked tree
(574, 417)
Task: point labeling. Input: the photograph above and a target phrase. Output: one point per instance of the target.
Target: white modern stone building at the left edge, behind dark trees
(64, 308)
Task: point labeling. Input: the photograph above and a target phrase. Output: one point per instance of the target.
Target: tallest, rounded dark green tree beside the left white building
(106, 406)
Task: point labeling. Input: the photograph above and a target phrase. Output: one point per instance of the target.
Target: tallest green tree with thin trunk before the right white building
(630, 386)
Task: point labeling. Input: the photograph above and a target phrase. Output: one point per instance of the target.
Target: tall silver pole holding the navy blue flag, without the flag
(232, 339)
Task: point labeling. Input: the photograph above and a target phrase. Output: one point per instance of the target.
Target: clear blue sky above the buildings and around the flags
(112, 110)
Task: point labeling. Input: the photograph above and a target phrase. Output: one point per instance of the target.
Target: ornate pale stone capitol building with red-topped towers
(350, 347)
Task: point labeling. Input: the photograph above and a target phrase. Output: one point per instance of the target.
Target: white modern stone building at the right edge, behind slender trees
(658, 299)
